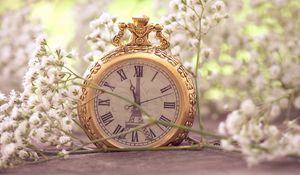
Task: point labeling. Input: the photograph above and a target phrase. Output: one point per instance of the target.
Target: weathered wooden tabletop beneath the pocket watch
(158, 162)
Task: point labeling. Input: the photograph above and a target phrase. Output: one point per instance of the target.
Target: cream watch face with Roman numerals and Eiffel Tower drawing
(146, 83)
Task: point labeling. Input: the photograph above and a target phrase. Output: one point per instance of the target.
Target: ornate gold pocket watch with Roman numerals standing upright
(145, 74)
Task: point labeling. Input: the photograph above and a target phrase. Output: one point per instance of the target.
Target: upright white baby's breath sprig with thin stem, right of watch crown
(193, 19)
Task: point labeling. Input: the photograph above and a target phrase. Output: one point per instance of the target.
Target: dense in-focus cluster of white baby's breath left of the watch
(42, 113)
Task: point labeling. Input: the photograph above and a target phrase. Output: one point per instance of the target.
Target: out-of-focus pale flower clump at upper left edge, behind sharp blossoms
(16, 46)
